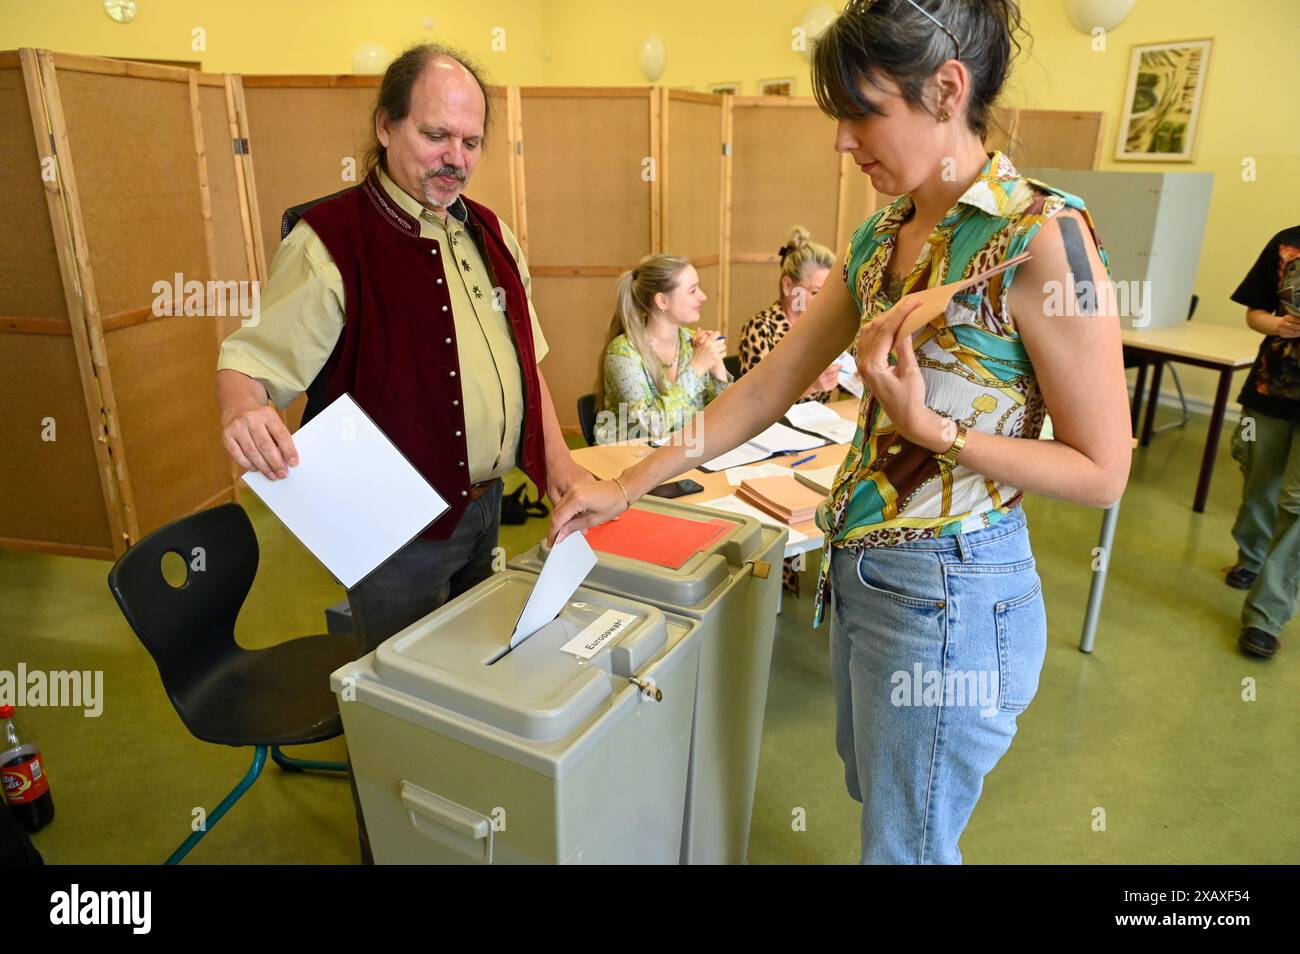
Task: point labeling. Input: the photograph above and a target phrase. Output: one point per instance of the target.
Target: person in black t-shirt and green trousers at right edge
(1267, 445)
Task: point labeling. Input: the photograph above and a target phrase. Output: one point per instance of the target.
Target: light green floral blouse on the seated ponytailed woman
(648, 413)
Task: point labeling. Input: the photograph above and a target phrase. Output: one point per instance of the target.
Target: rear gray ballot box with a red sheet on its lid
(736, 609)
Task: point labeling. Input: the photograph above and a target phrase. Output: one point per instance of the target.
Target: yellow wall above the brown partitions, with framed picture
(1247, 111)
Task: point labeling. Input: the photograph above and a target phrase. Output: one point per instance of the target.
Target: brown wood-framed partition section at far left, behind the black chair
(110, 428)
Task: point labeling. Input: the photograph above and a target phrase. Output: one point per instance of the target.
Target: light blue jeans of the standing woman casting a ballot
(937, 648)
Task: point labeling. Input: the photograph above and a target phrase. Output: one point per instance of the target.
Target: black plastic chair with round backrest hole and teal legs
(224, 693)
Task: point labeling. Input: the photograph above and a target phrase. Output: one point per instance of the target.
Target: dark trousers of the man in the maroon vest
(418, 580)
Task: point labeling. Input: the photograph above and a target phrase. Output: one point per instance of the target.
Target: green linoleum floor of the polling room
(1151, 728)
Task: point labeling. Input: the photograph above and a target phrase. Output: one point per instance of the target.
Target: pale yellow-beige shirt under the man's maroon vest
(302, 316)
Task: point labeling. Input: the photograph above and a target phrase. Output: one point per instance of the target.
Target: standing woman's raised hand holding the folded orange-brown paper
(900, 388)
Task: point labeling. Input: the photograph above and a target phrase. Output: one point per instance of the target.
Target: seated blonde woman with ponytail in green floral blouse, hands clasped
(656, 375)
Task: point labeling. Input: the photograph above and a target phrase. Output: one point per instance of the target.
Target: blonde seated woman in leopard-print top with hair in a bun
(805, 266)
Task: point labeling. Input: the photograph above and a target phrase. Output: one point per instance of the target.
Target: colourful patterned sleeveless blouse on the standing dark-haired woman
(977, 372)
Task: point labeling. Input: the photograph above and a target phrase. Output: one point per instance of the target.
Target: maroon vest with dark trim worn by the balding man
(397, 354)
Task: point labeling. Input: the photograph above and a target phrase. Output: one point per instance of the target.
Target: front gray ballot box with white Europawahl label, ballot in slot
(466, 756)
